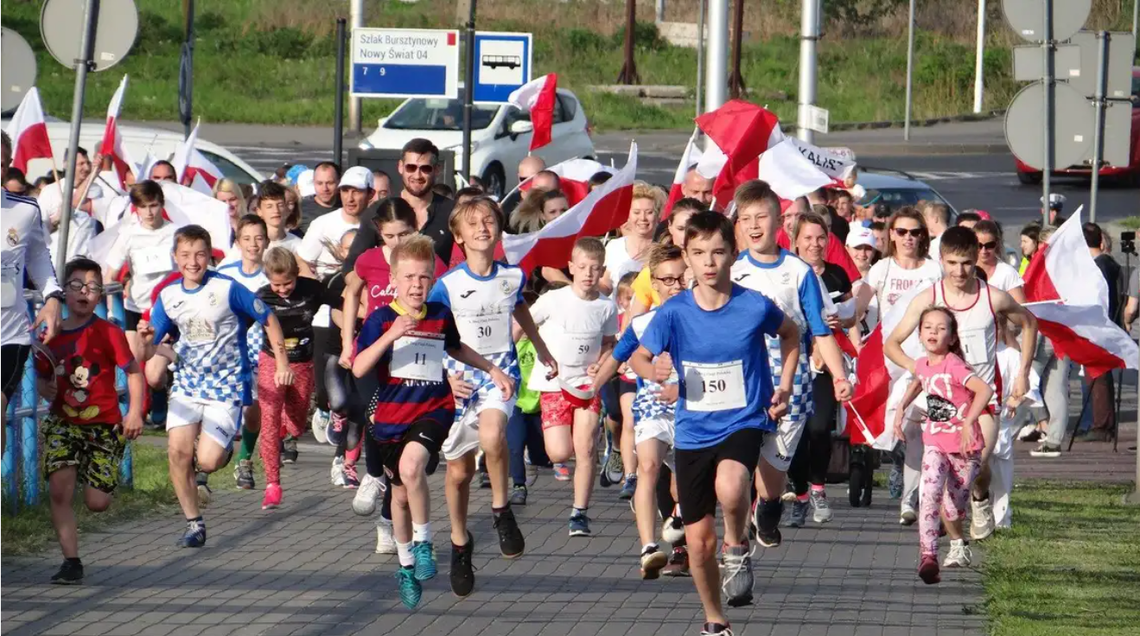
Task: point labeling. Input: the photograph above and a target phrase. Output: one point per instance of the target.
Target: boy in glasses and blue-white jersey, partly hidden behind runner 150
(654, 417)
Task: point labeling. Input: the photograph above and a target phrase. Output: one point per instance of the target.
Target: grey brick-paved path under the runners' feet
(310, 569)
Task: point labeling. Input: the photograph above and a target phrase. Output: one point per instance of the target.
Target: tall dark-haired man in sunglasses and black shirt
(418, 169)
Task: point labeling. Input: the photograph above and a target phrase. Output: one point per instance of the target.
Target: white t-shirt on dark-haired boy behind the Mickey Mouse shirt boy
(149, 254)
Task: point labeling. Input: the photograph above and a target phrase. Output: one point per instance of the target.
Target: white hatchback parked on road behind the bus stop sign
(500, 135)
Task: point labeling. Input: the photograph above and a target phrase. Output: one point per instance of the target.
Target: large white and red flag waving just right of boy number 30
(604, 210)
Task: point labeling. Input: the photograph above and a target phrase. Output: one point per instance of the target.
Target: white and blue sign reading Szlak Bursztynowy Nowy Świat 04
(405, 63)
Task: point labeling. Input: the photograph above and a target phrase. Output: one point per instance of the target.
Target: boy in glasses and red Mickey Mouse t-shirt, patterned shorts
(85, 430)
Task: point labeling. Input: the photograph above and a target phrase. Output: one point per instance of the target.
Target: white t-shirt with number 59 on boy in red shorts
(573, 329)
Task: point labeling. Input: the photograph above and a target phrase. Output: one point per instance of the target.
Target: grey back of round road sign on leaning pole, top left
(116, 29)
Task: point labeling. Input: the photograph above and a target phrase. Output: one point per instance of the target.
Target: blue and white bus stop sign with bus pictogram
(503, 64)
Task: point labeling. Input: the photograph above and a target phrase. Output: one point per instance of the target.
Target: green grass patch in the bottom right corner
(1070, 566)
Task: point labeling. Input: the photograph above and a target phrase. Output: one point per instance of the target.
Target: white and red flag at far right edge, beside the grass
(1069, 296)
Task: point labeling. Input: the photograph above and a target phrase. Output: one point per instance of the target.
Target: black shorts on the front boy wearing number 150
(696, 471)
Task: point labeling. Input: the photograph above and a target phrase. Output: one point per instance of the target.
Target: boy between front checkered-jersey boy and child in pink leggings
(253, 239)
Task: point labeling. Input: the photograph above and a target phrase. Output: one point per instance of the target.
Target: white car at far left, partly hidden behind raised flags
(137, 141)
